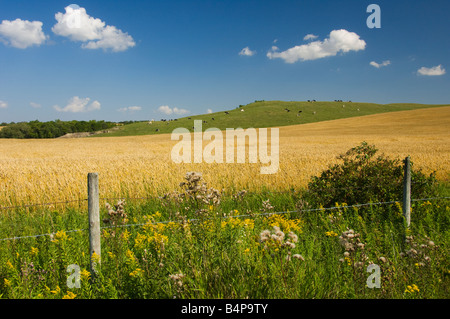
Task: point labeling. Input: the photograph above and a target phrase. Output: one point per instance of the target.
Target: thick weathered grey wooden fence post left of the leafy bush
(94, 221)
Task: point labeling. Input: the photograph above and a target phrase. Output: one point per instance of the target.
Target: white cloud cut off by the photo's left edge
(22, 34)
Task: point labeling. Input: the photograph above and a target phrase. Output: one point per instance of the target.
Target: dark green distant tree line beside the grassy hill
(52, 129)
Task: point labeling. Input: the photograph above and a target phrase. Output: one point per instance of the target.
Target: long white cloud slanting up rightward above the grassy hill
(338, 41)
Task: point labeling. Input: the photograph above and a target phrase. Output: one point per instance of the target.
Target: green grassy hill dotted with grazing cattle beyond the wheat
(268, 114)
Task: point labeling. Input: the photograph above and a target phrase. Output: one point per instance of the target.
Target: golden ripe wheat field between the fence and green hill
(39, 171)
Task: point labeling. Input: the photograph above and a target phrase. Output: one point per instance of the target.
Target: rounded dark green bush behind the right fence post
(363, 177)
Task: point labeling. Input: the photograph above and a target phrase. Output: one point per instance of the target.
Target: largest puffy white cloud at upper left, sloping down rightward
(77, 25)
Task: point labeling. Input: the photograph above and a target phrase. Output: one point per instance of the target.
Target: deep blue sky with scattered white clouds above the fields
(142, 60)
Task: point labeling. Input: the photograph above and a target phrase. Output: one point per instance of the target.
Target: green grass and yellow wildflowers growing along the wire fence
(197, 242)
